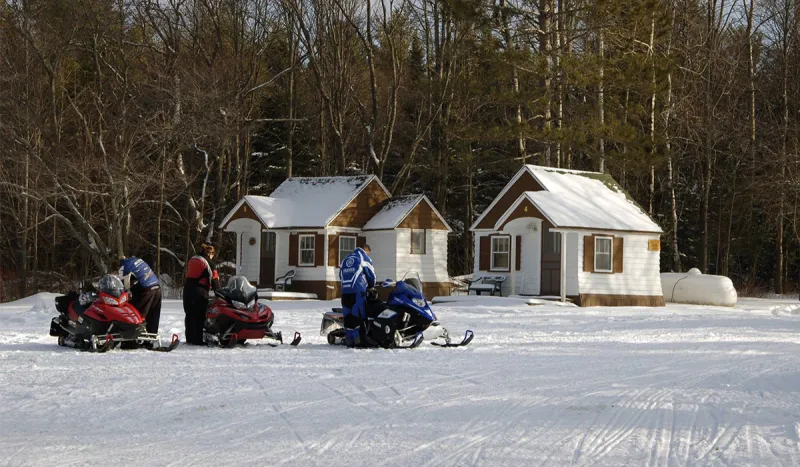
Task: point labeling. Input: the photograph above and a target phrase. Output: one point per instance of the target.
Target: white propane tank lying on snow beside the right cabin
(696, 288)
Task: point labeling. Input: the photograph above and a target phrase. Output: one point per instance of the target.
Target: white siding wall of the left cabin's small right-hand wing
(432, 266)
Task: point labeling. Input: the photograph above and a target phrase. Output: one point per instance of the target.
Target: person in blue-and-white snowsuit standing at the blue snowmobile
(357, 276)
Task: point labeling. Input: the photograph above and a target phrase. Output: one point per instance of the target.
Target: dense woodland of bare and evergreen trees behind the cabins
(133, 126)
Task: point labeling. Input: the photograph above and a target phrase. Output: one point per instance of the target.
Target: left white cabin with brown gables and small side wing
(309, 224)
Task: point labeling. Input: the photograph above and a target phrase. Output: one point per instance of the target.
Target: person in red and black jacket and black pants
(201, 278)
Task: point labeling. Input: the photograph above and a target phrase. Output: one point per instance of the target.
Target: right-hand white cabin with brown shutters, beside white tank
(572, 234)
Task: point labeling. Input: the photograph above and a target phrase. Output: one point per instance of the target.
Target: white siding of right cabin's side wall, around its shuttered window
(640, 268)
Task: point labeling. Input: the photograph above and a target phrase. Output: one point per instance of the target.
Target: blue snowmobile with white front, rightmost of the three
(404, 321)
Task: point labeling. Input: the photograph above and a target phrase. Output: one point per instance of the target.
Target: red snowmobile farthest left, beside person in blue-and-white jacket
(101, 321)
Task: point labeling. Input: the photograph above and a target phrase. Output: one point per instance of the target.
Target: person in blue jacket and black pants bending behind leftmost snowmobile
(145, 289)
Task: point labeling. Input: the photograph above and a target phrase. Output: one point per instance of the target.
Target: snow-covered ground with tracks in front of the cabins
(544, 385)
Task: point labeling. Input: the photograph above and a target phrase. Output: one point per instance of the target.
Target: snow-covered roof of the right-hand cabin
(583, 200)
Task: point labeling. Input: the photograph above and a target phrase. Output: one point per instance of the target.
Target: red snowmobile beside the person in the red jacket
(235, 316)
